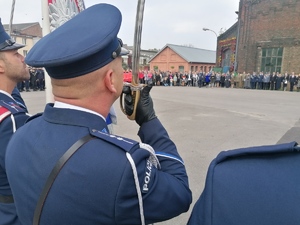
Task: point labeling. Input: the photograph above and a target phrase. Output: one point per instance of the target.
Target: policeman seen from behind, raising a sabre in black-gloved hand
(109, 179)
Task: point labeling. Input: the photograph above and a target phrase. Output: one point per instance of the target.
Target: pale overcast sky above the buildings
(177, 22)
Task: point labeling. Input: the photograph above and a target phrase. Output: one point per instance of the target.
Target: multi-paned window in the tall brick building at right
(271, 60)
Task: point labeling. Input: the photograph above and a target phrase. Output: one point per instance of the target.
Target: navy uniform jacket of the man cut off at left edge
(12, 116)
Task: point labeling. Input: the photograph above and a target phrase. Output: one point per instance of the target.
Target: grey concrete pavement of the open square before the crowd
(204, 121)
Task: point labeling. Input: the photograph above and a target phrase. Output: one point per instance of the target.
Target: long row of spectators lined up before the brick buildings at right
(262, 81)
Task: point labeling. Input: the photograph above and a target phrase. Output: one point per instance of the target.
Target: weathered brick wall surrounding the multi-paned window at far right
(269, 24)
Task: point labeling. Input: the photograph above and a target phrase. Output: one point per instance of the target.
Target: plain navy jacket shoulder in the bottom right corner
(249, 186)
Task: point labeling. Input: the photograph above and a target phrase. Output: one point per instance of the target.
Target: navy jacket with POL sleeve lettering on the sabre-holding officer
(96, 185)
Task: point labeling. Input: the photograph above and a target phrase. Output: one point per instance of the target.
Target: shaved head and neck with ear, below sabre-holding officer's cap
(96, 90)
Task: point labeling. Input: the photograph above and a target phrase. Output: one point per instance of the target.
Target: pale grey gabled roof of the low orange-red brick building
(190, 54)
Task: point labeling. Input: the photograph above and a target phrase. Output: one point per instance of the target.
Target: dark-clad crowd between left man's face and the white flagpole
(36, 81)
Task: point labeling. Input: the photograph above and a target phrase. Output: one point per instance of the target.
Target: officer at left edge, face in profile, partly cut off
(13, 114)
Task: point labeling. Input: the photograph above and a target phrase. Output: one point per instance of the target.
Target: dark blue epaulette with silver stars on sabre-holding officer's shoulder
(124, 143)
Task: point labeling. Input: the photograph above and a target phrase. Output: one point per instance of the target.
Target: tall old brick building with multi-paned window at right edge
(267, 35)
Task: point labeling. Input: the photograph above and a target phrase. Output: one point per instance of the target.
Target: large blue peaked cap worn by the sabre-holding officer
(83, 44)
